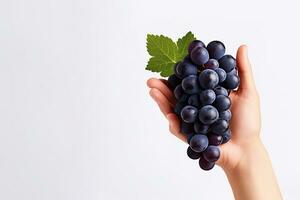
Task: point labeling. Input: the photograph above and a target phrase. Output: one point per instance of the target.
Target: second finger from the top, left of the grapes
(162, 102)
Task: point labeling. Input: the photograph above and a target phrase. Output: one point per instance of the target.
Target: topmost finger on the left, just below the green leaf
(161, 85)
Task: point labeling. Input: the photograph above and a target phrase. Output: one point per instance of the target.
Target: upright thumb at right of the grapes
(244, 69)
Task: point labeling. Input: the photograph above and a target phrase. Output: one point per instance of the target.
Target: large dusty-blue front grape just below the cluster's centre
(208, 114)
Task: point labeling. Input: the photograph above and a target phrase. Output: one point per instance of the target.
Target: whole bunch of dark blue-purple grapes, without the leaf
(201, 83)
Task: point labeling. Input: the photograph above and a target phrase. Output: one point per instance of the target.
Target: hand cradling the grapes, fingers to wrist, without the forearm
(245, 122)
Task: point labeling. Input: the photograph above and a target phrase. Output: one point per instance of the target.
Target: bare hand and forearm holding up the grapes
(244, 158)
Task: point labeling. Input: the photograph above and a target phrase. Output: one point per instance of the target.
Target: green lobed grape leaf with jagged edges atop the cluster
(165, 53)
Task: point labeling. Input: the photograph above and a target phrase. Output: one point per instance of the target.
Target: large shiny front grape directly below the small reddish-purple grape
(208, 79)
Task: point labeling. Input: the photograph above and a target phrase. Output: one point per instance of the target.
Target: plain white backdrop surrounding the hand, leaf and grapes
(76, 121)
